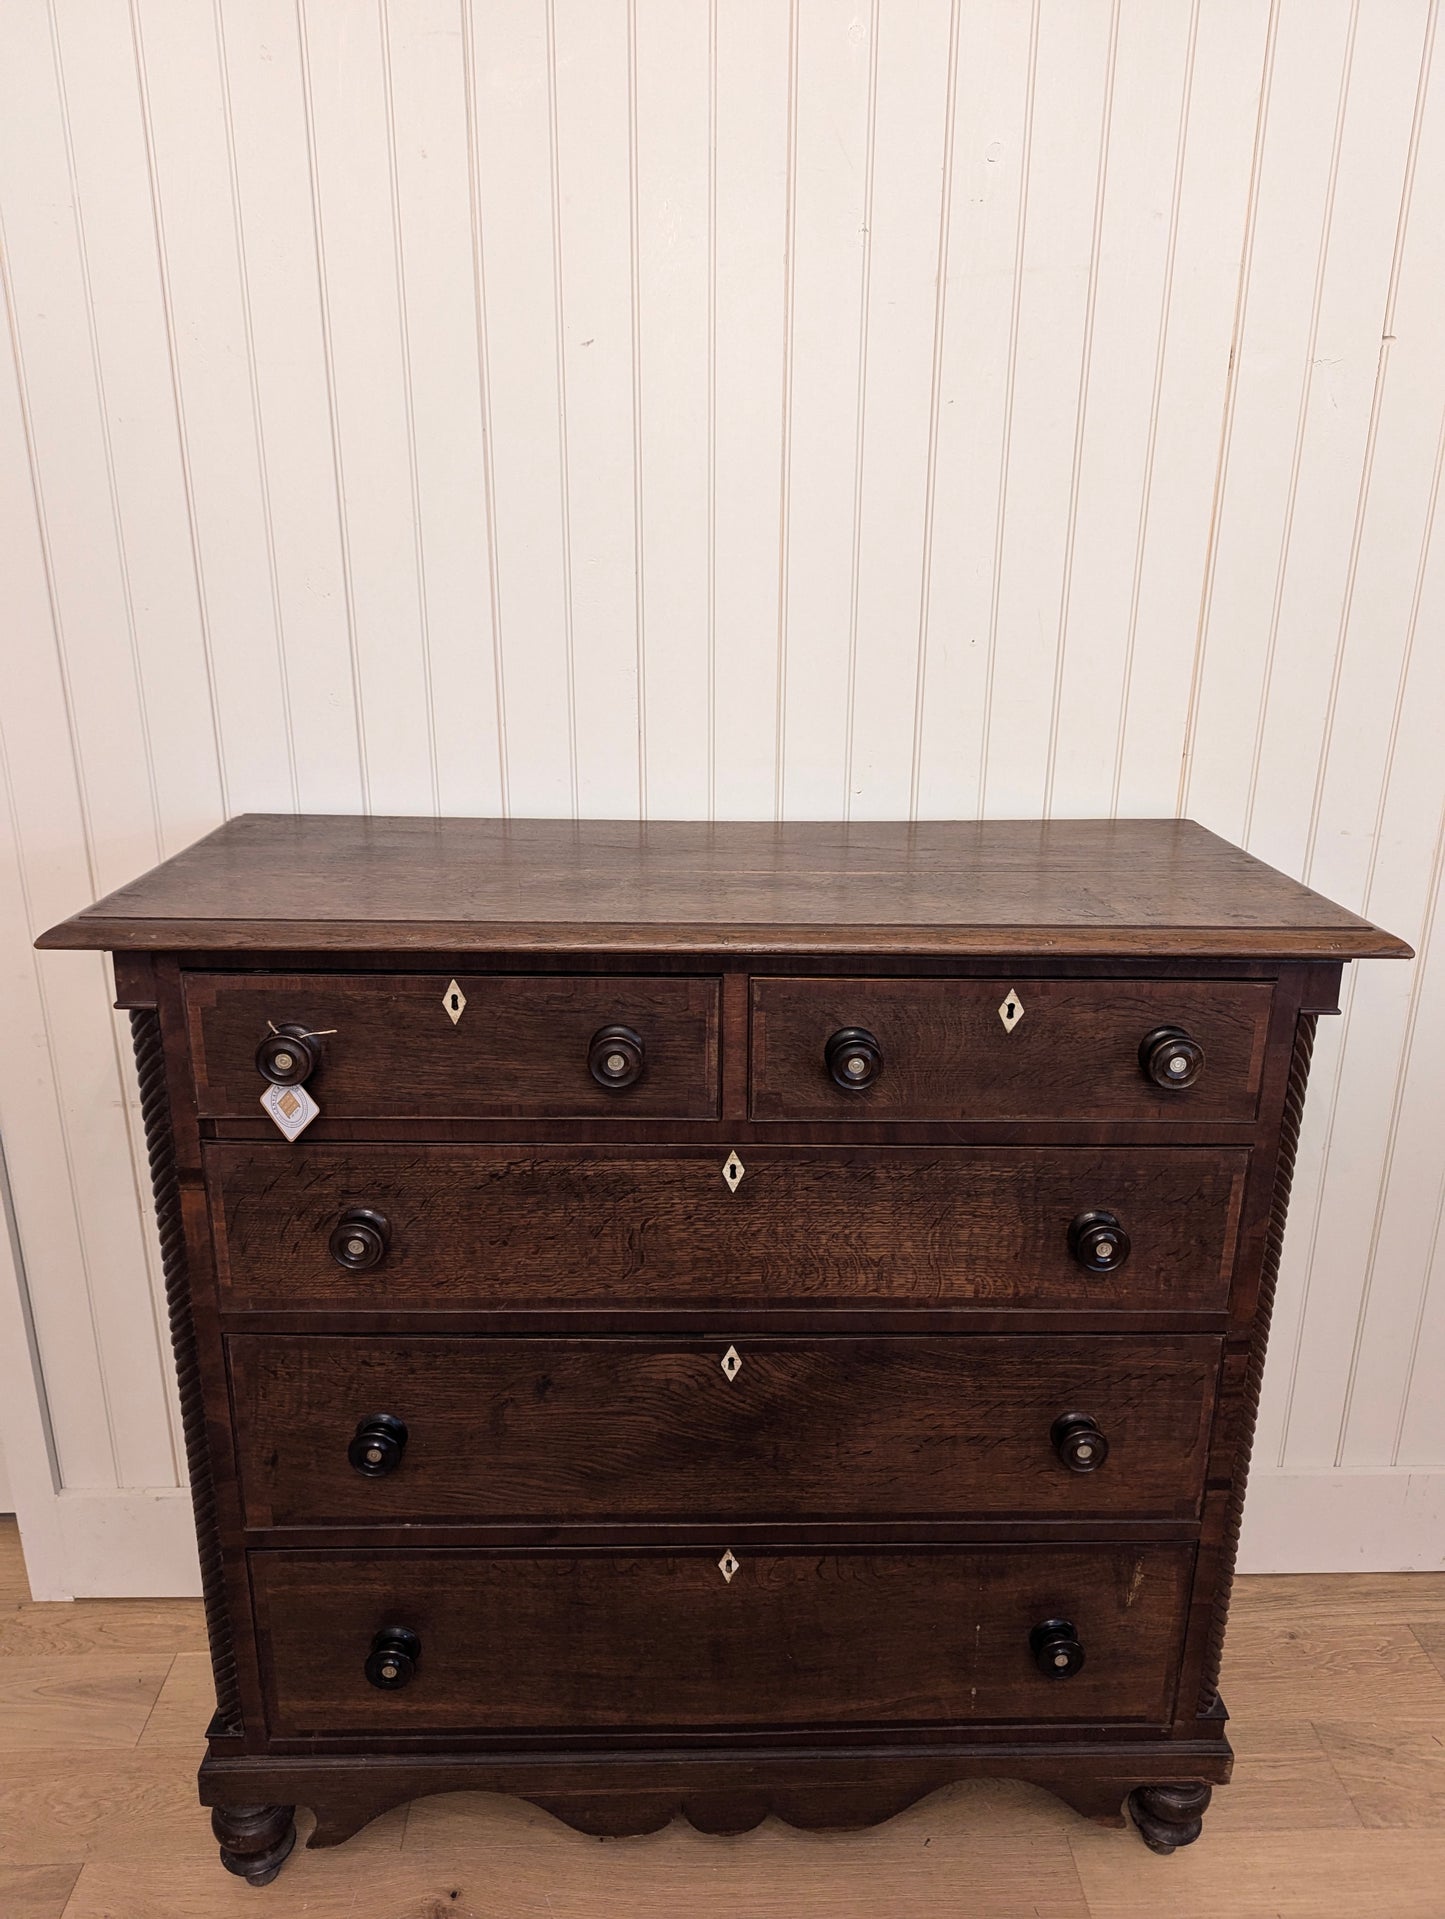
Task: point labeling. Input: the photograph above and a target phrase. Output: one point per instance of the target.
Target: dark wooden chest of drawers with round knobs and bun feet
(761, 1319)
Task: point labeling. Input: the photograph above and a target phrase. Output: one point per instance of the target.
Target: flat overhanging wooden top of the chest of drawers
(1099, 888)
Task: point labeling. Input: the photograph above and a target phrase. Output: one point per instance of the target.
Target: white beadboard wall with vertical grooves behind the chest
(744, 410)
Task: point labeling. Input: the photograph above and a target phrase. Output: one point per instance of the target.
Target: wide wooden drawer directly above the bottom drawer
(550, 1431)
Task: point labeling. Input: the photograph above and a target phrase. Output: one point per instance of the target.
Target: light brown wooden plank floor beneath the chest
(1338, 1809)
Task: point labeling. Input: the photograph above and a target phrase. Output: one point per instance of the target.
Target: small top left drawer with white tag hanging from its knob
(519, 1049)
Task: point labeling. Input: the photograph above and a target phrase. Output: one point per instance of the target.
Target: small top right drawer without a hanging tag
(1007, 1049)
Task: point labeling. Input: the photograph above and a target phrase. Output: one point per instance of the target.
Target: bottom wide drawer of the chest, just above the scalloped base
(659, 1642)
